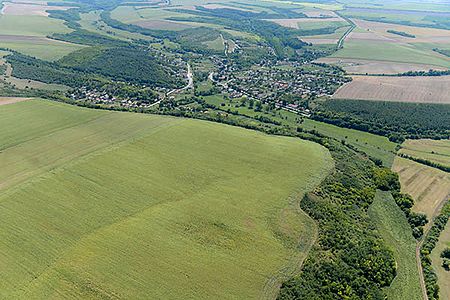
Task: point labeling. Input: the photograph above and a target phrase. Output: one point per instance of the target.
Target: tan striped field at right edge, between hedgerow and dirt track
(428, 186)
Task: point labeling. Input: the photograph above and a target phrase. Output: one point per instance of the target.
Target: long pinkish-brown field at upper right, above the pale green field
(423, 35)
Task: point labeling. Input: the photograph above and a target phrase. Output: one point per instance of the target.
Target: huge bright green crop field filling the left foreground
(173, 208)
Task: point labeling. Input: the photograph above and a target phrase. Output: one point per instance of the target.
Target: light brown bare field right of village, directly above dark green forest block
(403, 89)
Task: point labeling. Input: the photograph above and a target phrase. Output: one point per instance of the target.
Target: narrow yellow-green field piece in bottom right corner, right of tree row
(443, 275)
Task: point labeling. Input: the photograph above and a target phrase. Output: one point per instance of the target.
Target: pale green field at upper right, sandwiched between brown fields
(382, 51)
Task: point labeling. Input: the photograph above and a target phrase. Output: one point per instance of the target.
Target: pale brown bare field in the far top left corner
(29, 8)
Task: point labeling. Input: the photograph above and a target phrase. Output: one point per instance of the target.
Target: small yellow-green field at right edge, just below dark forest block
(433, 150)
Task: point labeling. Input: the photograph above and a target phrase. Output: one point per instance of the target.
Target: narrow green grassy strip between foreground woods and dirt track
(396, 232)
